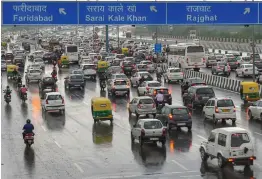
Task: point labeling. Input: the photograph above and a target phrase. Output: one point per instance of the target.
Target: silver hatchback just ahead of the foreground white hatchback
(143, 105)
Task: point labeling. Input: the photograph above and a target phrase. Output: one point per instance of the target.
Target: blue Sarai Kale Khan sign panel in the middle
(122, 13)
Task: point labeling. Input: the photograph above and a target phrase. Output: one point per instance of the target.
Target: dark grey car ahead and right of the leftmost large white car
(74, 81)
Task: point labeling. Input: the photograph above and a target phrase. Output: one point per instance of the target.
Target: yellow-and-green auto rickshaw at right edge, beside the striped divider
(249, 91)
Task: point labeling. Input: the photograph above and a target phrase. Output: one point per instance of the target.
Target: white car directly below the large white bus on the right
(173, 74)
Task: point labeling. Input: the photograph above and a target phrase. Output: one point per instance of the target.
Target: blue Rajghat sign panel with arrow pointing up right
(212, 13)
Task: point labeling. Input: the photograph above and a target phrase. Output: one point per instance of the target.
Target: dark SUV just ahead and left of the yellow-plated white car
(198, 96)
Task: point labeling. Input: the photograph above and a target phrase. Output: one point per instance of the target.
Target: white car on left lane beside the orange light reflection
(53, 101)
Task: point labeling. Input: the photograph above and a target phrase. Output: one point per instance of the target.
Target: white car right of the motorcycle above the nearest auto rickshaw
(119, 87)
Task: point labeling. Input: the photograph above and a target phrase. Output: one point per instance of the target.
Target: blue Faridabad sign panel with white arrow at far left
(24, 13)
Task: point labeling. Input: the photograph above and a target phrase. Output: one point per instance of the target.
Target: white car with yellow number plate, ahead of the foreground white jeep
(220, 109)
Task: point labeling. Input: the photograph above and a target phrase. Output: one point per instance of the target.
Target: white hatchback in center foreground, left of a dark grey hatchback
(149, 130)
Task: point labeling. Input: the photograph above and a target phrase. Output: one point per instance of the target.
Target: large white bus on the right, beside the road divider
(187, 56)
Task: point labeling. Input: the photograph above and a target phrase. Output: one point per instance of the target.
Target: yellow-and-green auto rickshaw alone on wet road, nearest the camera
(101, 109)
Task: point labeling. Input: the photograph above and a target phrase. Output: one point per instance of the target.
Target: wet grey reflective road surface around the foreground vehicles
(71, 146)
